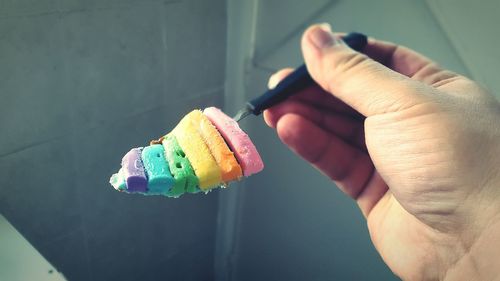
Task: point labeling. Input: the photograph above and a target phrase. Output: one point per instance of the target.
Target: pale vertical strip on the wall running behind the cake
(241, 23)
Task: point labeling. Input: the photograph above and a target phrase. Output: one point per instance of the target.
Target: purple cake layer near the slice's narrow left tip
(133, 171)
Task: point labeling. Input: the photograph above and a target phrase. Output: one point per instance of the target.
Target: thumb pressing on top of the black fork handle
(364, 84)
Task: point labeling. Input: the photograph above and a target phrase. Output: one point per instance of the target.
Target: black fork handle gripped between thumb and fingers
(298, 79)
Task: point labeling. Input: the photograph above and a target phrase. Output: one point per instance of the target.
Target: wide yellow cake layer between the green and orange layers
(190, 139)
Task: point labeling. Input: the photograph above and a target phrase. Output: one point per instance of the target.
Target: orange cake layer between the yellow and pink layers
(230, 169)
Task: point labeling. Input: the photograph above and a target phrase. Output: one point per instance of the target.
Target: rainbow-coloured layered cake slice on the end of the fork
(205, 150)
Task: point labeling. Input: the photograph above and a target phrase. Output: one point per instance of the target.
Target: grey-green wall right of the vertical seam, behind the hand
(292, 223)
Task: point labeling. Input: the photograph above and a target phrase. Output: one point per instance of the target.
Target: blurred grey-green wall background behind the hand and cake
(82, 81)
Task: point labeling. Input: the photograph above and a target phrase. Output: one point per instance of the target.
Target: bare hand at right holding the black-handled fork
(417, 147)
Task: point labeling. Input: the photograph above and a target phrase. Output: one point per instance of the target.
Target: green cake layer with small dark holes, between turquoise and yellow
(180, 167)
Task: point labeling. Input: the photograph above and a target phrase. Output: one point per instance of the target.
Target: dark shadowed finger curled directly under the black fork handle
(345, 127)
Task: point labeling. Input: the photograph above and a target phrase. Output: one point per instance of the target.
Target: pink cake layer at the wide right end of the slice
(239, 142)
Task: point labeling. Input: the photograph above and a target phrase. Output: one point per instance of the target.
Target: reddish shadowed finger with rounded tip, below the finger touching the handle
(347, 166)
